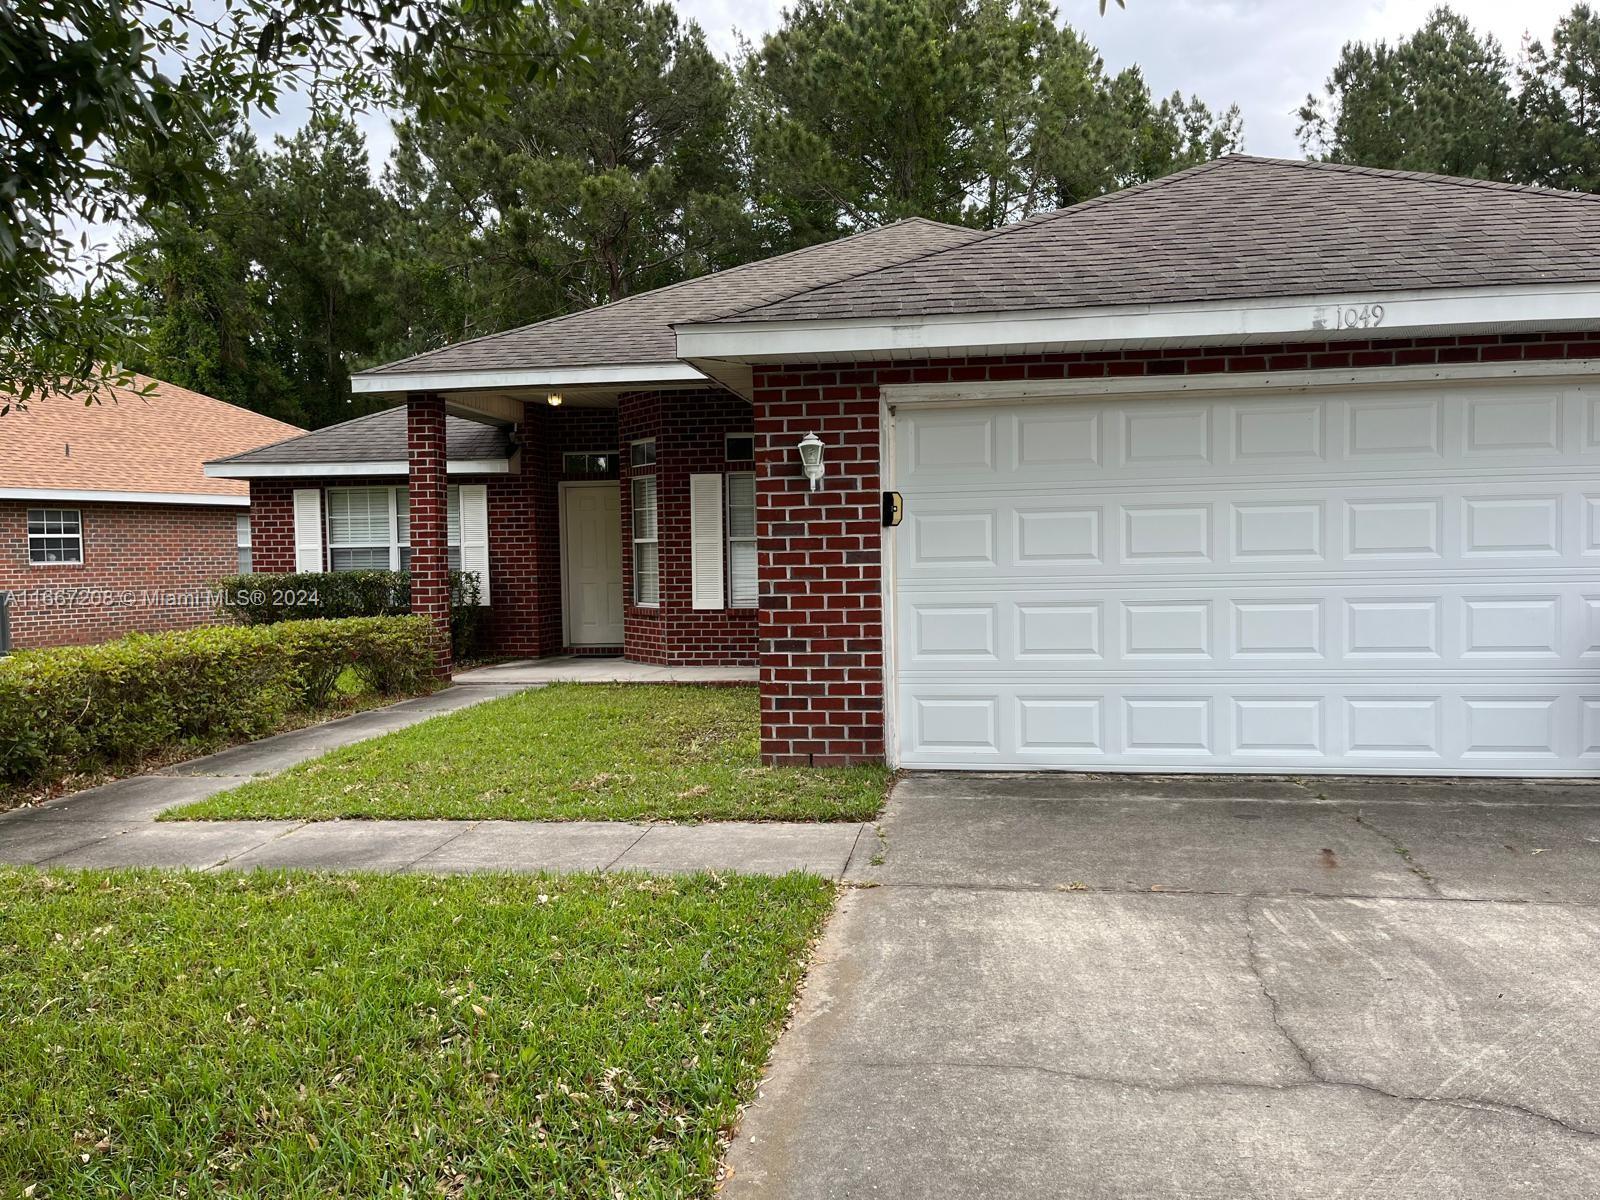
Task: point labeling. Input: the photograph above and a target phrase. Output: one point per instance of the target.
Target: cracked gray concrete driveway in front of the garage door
(1215, 988)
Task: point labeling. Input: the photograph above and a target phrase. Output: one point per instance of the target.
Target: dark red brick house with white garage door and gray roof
(1265, 466)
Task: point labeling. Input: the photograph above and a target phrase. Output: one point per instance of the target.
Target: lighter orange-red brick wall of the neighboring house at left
(134, 558)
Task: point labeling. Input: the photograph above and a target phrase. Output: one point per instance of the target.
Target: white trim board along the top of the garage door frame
(1154, 388)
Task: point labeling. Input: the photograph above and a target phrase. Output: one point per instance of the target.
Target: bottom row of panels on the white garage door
(1295, 724)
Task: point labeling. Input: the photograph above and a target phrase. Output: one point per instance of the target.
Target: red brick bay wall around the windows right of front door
(690, 430)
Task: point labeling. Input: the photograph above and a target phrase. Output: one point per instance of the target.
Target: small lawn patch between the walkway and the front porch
(569, 753)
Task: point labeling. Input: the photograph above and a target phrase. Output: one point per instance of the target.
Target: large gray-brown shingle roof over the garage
(1231, 230)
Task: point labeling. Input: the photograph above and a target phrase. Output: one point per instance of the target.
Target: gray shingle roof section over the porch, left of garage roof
(639, 329)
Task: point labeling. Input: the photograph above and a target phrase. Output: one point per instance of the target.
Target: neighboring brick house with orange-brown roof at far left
(108, 519)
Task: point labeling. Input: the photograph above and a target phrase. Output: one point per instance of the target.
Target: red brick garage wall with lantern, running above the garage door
(822, 625)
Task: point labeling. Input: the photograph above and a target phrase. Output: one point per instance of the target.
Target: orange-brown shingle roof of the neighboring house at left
(130, 442)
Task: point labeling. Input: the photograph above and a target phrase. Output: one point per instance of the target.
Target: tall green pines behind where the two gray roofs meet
(974, 111)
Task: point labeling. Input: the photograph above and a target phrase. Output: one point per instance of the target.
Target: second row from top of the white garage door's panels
(1250, 530)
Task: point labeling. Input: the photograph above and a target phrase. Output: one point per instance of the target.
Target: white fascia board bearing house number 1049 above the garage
(1290, 318)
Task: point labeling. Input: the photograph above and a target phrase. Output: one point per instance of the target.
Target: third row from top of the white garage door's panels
(1026, 630)
